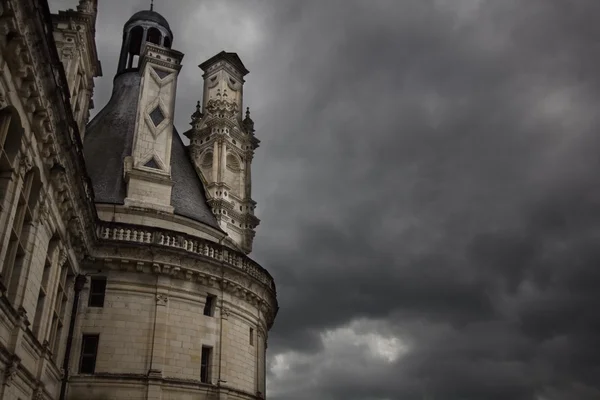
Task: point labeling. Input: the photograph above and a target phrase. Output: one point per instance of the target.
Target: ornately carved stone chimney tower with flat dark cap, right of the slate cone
(223, 145)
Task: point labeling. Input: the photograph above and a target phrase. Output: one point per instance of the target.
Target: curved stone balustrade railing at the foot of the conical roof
(115, 232)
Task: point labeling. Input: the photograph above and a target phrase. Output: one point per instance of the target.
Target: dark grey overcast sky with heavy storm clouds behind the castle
(428, 183)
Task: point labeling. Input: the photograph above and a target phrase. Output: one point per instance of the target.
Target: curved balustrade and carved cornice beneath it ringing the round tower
(141, 249)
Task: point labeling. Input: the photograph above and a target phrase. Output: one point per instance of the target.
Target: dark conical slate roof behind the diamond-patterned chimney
(109, 139)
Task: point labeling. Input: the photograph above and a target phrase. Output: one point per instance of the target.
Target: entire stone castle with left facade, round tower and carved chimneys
(124, 267)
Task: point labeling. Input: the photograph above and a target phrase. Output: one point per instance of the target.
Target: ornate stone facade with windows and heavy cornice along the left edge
(46, 205)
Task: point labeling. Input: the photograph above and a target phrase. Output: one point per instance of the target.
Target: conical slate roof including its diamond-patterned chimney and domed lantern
(134, 155)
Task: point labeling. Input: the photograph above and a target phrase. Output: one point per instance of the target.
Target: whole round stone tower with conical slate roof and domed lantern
(172, 307)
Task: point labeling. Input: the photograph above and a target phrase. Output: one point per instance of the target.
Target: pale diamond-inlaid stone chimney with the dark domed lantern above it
(146, 46)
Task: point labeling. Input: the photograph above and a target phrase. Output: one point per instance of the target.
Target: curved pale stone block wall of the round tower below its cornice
(154, 324)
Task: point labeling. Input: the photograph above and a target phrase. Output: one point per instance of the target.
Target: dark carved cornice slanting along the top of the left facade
(34, 59)
